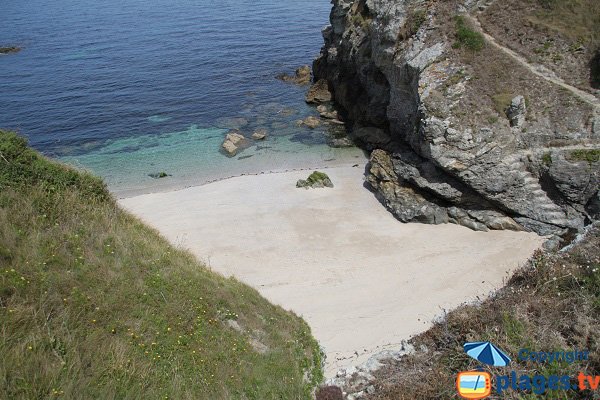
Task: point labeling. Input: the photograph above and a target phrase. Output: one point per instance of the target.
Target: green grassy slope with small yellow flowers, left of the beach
(94, 304)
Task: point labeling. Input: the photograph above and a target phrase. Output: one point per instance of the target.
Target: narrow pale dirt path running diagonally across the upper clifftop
(538, 70)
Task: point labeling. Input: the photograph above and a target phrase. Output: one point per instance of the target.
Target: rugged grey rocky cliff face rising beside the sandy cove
(461, 128)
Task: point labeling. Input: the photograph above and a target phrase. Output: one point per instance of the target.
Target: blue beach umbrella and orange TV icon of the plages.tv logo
(478, 384)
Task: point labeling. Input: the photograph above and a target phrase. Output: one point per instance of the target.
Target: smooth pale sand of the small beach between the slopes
(361, 279)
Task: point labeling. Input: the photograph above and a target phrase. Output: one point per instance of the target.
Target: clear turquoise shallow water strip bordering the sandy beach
(192, 157)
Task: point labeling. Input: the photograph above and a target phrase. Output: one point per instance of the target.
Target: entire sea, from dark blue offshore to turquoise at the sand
(129, 87)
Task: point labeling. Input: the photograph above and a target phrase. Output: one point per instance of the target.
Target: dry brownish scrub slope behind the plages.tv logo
(552, 304)
